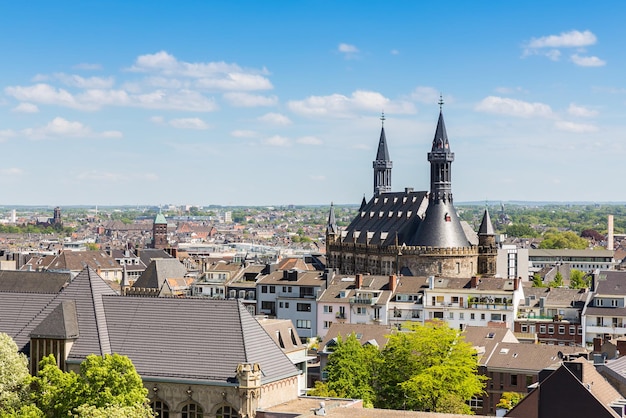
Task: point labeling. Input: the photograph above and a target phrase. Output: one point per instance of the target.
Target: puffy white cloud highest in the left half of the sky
(211, 75)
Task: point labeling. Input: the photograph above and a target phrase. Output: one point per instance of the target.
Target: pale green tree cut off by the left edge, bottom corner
(14, 376)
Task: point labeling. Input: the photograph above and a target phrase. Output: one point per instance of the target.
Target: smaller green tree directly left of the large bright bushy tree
(350, 370)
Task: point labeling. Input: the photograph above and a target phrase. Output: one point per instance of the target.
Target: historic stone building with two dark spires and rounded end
(412, 233)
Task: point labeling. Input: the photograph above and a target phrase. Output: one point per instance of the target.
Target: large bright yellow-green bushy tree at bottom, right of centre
(429, 368)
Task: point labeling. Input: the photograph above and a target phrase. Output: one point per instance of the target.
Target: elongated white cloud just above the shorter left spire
(338, 105)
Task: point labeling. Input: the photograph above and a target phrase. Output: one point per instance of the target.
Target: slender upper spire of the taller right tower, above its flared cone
(440, 158)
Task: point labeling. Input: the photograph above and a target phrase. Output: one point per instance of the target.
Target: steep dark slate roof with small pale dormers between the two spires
(384, 216)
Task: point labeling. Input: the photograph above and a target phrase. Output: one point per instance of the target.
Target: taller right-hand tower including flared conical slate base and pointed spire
(441, 227)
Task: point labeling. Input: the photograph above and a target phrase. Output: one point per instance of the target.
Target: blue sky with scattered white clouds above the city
(279, 102)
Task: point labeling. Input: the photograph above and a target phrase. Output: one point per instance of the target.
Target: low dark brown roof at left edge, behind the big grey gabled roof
(32, 281)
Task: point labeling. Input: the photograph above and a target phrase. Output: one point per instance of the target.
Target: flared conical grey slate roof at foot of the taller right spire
(441, 228)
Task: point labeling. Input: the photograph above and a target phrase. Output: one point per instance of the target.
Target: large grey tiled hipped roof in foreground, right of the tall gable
(189, 338)
